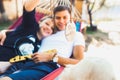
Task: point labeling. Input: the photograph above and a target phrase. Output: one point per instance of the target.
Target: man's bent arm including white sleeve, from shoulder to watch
(78, 51)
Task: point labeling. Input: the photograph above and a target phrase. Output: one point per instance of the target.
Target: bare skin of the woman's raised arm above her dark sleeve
(31, 4)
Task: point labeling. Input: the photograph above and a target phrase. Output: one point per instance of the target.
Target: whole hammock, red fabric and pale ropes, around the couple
(46, 8)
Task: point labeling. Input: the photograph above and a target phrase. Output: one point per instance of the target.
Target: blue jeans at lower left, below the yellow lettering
(30, 70)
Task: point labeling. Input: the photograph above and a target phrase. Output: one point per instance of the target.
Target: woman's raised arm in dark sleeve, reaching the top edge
(29, 22)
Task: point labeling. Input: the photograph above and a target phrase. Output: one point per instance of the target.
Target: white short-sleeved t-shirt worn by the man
(59, 42)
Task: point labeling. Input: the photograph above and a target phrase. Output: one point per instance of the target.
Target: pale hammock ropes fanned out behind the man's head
(47, 6)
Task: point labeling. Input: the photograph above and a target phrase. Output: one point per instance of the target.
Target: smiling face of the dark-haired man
(61, 19)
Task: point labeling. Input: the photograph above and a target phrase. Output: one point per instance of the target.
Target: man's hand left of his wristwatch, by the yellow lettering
(42, 57)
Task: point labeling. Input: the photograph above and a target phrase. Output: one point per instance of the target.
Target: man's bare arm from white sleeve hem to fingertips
(78, 54)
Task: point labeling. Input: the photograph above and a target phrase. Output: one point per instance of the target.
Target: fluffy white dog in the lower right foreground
(89, 69)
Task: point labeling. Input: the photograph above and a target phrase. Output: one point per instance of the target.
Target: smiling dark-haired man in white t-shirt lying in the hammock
(66, 49)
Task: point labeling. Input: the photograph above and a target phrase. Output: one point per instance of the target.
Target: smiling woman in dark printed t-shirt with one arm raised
(29, 32)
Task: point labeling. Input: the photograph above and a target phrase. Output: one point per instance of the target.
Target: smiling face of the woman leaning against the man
(46, 27)
